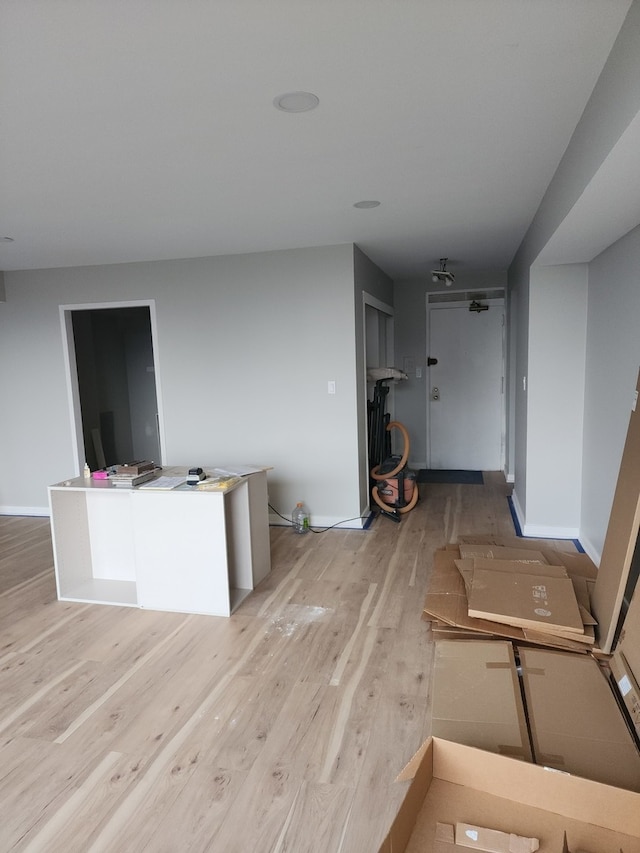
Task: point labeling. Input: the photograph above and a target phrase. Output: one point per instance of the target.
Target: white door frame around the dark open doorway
(71, 371)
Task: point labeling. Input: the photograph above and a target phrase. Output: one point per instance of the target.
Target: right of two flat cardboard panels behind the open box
(575, 722)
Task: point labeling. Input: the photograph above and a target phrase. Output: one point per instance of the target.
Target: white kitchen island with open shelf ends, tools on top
(186, 549)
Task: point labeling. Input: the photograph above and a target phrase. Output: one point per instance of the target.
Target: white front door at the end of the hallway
(465, 391)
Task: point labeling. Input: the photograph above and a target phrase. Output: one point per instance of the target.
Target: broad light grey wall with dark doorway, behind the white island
(245, 346)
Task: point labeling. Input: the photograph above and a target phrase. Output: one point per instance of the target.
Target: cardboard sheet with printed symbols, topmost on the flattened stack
(525, 601)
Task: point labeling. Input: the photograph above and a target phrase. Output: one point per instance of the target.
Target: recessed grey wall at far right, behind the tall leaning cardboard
(612, 362)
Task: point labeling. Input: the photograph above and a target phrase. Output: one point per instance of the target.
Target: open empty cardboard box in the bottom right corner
(451, 782)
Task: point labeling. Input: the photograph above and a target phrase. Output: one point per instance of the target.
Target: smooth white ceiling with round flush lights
(145, 129)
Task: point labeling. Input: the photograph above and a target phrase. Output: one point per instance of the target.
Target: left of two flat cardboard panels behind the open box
(477, 698)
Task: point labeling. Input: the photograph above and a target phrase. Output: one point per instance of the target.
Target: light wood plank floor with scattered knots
(279, 729)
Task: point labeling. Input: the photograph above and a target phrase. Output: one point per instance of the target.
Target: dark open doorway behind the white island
(112, 376)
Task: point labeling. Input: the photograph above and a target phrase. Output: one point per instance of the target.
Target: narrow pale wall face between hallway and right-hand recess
(555, 399)
